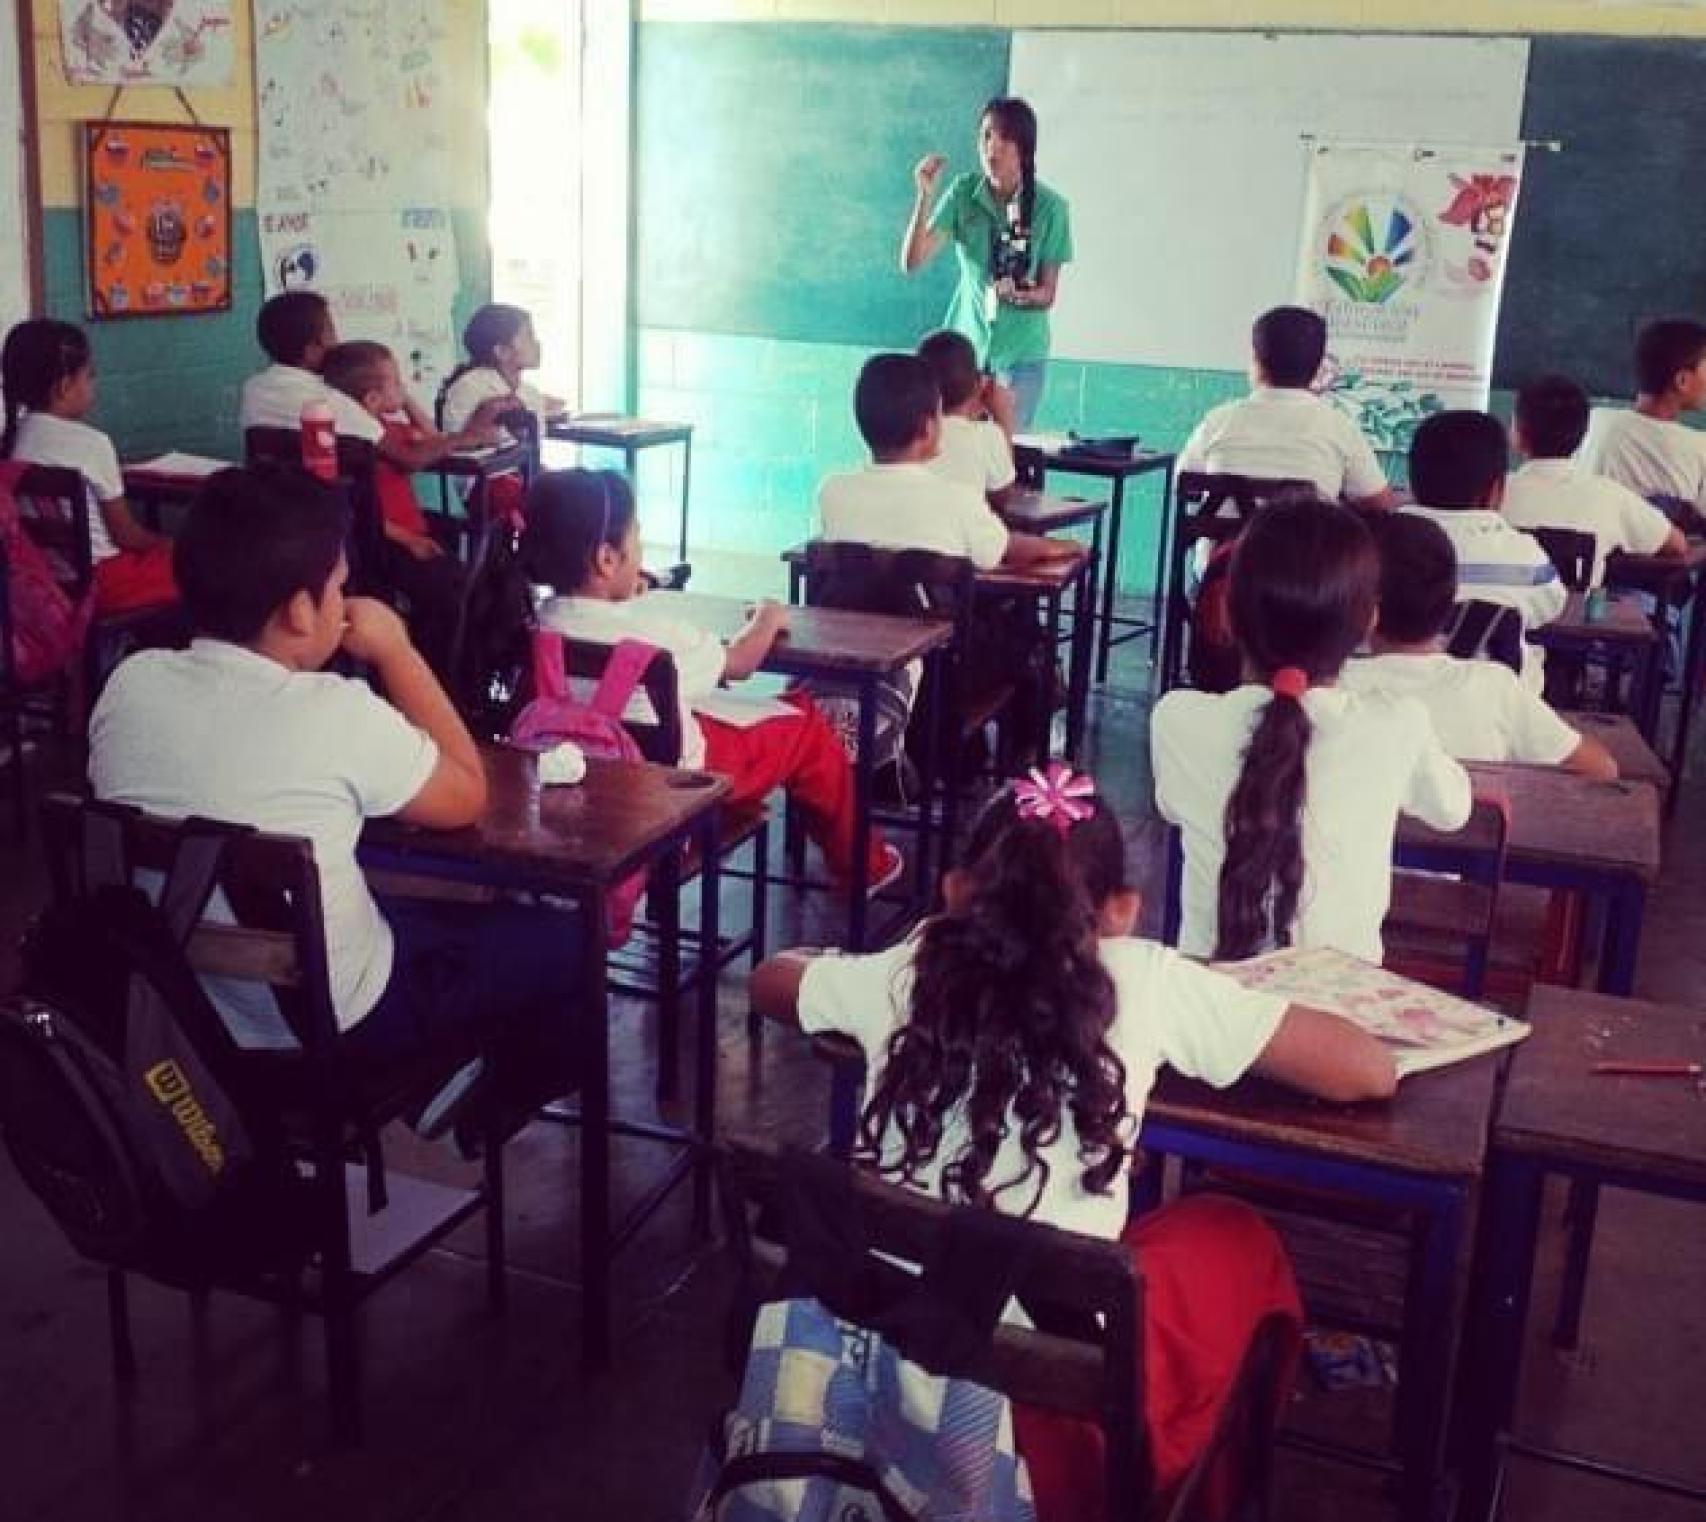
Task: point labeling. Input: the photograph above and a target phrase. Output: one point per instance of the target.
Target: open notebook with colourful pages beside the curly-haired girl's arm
(1424, 1026)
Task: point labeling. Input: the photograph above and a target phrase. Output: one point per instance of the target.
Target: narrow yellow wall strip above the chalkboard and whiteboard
(1412, 16)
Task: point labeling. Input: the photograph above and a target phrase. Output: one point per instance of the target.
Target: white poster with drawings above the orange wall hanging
(146, 42)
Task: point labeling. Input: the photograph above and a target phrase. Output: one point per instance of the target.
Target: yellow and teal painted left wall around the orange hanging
(171, 383)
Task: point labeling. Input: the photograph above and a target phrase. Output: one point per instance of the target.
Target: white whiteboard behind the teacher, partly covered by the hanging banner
(1183, 161)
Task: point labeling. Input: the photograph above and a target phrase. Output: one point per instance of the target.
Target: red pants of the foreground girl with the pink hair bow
(1212, 1270)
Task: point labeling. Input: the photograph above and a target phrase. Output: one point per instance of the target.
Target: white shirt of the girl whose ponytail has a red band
(1371, 758)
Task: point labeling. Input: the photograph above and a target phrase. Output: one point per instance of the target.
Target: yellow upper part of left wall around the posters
(61, 108)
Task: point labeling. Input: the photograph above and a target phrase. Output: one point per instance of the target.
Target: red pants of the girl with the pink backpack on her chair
(806, 760)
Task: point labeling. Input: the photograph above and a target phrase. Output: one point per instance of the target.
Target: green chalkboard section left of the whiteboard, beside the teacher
(774, 173)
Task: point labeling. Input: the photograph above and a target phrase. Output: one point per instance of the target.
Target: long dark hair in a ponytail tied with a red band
(1303, 591)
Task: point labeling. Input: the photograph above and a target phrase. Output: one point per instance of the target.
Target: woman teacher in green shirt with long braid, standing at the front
(1011, 236)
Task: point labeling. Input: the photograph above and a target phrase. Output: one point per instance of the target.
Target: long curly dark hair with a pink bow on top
(1011, 1011)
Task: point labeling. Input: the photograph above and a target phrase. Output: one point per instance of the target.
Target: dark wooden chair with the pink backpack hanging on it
(658, 970)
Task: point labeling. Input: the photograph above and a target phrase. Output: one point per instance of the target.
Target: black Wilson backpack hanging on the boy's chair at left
(120, 1096)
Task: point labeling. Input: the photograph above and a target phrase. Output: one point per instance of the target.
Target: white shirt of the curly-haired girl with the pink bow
(1166, 1011)
